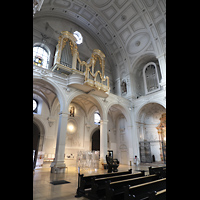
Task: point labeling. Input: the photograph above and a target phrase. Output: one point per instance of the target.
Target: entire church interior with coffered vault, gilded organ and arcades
(99, 95)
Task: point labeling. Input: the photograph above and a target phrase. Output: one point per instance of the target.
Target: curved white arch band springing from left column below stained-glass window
(57, 90)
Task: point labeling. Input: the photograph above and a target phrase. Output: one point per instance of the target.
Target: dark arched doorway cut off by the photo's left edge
(36, 139)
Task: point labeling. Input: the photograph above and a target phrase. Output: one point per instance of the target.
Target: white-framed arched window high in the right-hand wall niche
(150, 75)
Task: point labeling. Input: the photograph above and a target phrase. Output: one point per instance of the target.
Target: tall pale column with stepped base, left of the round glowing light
(60, 144)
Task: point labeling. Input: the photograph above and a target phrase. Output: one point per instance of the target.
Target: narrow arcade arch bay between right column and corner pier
(119, 133)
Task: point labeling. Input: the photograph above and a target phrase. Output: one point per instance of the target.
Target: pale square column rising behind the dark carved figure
(103, 140)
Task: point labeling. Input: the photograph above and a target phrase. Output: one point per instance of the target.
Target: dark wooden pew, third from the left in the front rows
(115, 190)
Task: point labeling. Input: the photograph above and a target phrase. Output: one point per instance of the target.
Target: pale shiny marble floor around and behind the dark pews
(44, 190)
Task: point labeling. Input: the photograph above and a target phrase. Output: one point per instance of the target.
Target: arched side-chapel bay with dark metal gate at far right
(148, 118)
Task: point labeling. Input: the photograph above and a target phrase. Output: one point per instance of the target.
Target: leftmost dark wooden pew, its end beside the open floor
(84, 182)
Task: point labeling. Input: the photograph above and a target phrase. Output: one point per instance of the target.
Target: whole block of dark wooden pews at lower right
(124, 185)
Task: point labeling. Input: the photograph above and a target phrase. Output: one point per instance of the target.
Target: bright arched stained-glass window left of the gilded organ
(41, 55)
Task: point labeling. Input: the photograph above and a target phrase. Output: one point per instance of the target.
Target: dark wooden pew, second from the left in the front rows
(99, 185)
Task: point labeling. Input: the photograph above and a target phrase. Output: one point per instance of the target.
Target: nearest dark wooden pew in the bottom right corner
(142, 191)
